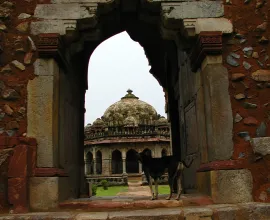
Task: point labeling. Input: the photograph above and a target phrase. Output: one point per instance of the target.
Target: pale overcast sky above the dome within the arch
(119, 64)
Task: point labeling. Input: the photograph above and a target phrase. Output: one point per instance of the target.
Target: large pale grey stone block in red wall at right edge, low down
(261, 145)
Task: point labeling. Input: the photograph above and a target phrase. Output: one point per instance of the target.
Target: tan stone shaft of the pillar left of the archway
(42, 111)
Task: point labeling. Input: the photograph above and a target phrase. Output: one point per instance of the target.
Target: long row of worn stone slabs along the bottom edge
(242, 211)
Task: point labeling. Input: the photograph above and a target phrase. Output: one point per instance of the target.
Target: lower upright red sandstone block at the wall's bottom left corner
(17, 194)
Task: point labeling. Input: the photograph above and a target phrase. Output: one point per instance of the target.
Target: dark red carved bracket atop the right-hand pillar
(208, 43)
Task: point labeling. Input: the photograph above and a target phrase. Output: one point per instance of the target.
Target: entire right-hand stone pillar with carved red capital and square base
(221, 177)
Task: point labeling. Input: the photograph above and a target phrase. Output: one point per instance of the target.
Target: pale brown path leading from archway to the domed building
(135, 189)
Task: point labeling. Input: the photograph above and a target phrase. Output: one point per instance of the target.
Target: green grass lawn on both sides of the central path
(113, 190)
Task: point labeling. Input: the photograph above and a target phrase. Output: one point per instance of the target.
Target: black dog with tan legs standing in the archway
(156, 167)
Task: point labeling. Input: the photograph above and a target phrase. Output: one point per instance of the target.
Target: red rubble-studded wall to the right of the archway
(245, 55)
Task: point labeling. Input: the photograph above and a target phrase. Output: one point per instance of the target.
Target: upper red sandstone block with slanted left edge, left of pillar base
(18, 165)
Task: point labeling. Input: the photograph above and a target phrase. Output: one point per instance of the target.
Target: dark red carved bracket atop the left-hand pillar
(51, 46)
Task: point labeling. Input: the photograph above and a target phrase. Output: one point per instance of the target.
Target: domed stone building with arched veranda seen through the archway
(127, 126)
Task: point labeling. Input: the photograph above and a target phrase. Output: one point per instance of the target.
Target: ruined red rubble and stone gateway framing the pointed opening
(211, 58)
